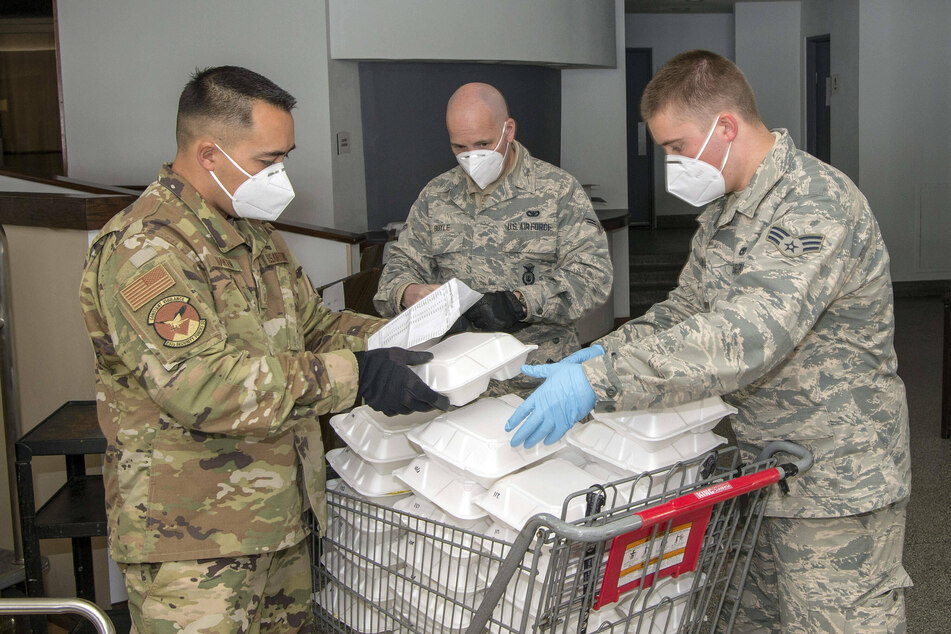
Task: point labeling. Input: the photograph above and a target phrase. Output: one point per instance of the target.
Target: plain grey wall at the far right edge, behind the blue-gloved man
(905, 159)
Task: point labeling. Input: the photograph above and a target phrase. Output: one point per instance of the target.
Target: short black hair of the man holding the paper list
(224, 95)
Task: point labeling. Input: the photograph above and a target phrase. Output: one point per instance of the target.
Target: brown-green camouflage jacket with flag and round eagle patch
(214, 356)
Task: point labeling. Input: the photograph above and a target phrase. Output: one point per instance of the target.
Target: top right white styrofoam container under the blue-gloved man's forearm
(654, 428)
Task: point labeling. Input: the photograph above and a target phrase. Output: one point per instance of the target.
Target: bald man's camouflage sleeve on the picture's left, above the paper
(410, 260)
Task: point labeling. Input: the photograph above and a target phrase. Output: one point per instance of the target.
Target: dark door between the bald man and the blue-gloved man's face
(640, 151)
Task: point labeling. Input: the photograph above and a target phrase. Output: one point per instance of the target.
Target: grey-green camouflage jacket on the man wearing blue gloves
(784, 308)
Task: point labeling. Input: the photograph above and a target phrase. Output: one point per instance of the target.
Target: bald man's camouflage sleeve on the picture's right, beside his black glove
(582, 278)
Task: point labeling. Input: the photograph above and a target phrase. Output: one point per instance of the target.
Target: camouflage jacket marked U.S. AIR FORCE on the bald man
(535, 232)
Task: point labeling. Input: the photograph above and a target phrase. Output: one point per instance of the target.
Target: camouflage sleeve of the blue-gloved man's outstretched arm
(771, 306)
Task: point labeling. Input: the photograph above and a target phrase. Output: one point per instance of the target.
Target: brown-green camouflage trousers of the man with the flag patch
(250, 594)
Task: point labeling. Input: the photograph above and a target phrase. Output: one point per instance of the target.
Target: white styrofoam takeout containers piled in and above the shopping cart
(457, 488)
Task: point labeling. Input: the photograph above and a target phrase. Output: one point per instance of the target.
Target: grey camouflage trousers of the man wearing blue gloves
(841, 574)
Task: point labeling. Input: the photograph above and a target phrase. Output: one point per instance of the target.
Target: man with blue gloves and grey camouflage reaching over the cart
(785, 309)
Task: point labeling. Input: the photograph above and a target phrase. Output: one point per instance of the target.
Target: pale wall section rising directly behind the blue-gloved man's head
(768, 51)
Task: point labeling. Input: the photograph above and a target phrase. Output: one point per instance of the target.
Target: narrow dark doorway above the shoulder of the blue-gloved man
(819, 89)
